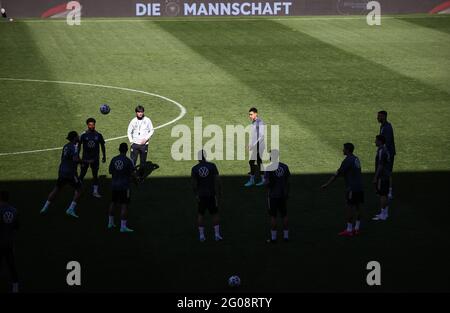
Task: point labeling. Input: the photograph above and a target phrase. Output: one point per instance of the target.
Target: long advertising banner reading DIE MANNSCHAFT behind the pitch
(189, 8)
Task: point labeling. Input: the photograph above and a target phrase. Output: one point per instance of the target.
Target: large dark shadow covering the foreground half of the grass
(165, 255)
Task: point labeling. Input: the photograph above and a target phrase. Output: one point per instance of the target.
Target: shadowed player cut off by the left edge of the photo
(8, 226)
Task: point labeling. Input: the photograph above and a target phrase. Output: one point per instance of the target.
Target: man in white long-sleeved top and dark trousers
(140, 130)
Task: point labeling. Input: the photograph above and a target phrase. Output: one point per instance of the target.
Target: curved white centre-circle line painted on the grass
(180, 106)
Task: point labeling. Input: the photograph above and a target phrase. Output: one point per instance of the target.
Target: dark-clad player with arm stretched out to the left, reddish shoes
(350, 169)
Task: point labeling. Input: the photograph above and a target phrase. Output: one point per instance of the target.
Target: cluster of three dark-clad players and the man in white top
(121, 168)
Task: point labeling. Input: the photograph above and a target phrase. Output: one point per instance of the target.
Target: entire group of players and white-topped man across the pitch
(205, 180)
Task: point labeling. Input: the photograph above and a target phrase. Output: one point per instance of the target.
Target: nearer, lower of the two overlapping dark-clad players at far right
(382, 176)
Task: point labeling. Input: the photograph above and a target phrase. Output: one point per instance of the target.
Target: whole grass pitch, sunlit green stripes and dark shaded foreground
(322, 79)
